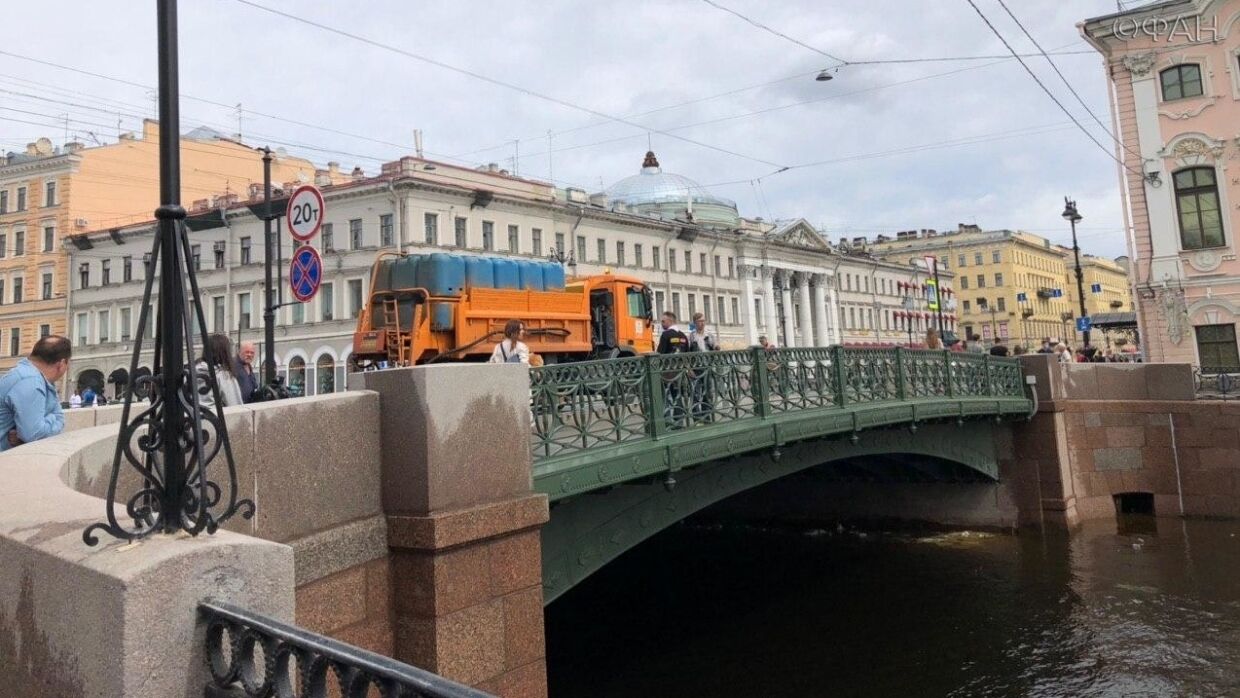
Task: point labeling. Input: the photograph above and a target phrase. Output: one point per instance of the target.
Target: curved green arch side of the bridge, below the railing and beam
(590, 531)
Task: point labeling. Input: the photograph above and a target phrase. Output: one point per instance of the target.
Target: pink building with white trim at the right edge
(1175, 94)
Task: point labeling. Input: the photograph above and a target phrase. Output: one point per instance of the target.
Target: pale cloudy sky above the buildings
(880, 148)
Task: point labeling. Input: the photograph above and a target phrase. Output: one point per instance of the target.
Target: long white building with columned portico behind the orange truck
(748, 278)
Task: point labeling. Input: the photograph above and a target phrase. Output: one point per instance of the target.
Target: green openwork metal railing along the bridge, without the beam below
(604, 405)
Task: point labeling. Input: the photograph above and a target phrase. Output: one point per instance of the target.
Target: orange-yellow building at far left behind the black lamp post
(49, 195)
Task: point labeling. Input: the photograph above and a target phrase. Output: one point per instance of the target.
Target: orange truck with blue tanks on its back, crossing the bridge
(441, 307)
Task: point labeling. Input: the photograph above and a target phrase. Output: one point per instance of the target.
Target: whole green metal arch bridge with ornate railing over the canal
(654, 440)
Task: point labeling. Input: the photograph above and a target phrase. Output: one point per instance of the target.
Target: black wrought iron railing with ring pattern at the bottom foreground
(263, 658)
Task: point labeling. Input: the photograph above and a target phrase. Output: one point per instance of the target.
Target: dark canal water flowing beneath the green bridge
(1144, 609)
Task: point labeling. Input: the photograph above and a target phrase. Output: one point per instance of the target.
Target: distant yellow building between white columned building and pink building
(1014, 287)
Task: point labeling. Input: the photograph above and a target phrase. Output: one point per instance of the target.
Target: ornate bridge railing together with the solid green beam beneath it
(604, 422)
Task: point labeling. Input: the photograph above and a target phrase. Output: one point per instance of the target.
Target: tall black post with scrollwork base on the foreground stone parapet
(173, 441)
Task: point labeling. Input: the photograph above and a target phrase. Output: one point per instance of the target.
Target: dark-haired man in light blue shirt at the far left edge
(30, 407)
